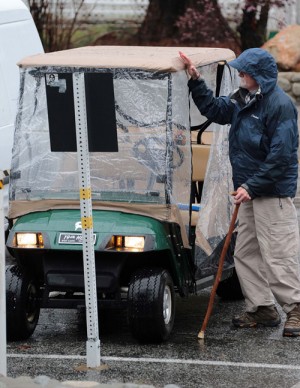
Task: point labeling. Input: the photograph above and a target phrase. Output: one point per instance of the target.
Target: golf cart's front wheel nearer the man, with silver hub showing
(151, 305)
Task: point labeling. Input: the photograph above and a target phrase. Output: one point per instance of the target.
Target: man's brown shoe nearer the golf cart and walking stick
(264, 315)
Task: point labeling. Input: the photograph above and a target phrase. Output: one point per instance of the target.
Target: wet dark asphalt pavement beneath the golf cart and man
(227, 357)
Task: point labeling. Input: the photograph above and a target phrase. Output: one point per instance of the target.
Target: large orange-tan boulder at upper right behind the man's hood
(285, 48)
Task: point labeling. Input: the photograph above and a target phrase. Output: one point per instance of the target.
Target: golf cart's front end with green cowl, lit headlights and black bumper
(123, 243)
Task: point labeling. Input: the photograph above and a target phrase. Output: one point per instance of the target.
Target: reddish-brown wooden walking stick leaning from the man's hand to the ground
(219, 272)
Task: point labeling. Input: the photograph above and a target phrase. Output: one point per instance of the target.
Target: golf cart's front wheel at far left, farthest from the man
(22, 304)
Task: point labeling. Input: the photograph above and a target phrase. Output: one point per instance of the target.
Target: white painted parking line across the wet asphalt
(160, 360)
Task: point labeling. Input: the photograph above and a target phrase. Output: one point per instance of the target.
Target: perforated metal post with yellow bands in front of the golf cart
(93, 342)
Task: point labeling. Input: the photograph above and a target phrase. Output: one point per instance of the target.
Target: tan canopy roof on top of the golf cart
(164, 59)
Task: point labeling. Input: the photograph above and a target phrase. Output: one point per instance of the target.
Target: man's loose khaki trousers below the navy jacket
(266, 253)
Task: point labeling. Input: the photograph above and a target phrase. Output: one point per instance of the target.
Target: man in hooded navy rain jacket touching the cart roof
(263, 143)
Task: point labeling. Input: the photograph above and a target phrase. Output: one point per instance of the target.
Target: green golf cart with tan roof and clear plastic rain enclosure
(160, 197)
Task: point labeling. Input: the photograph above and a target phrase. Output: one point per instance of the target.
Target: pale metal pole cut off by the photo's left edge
(3, 360)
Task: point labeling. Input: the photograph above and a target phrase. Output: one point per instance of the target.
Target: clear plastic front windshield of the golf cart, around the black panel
(152, 164)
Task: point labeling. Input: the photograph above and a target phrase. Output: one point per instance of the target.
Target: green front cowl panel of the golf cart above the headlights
(105, 224)
